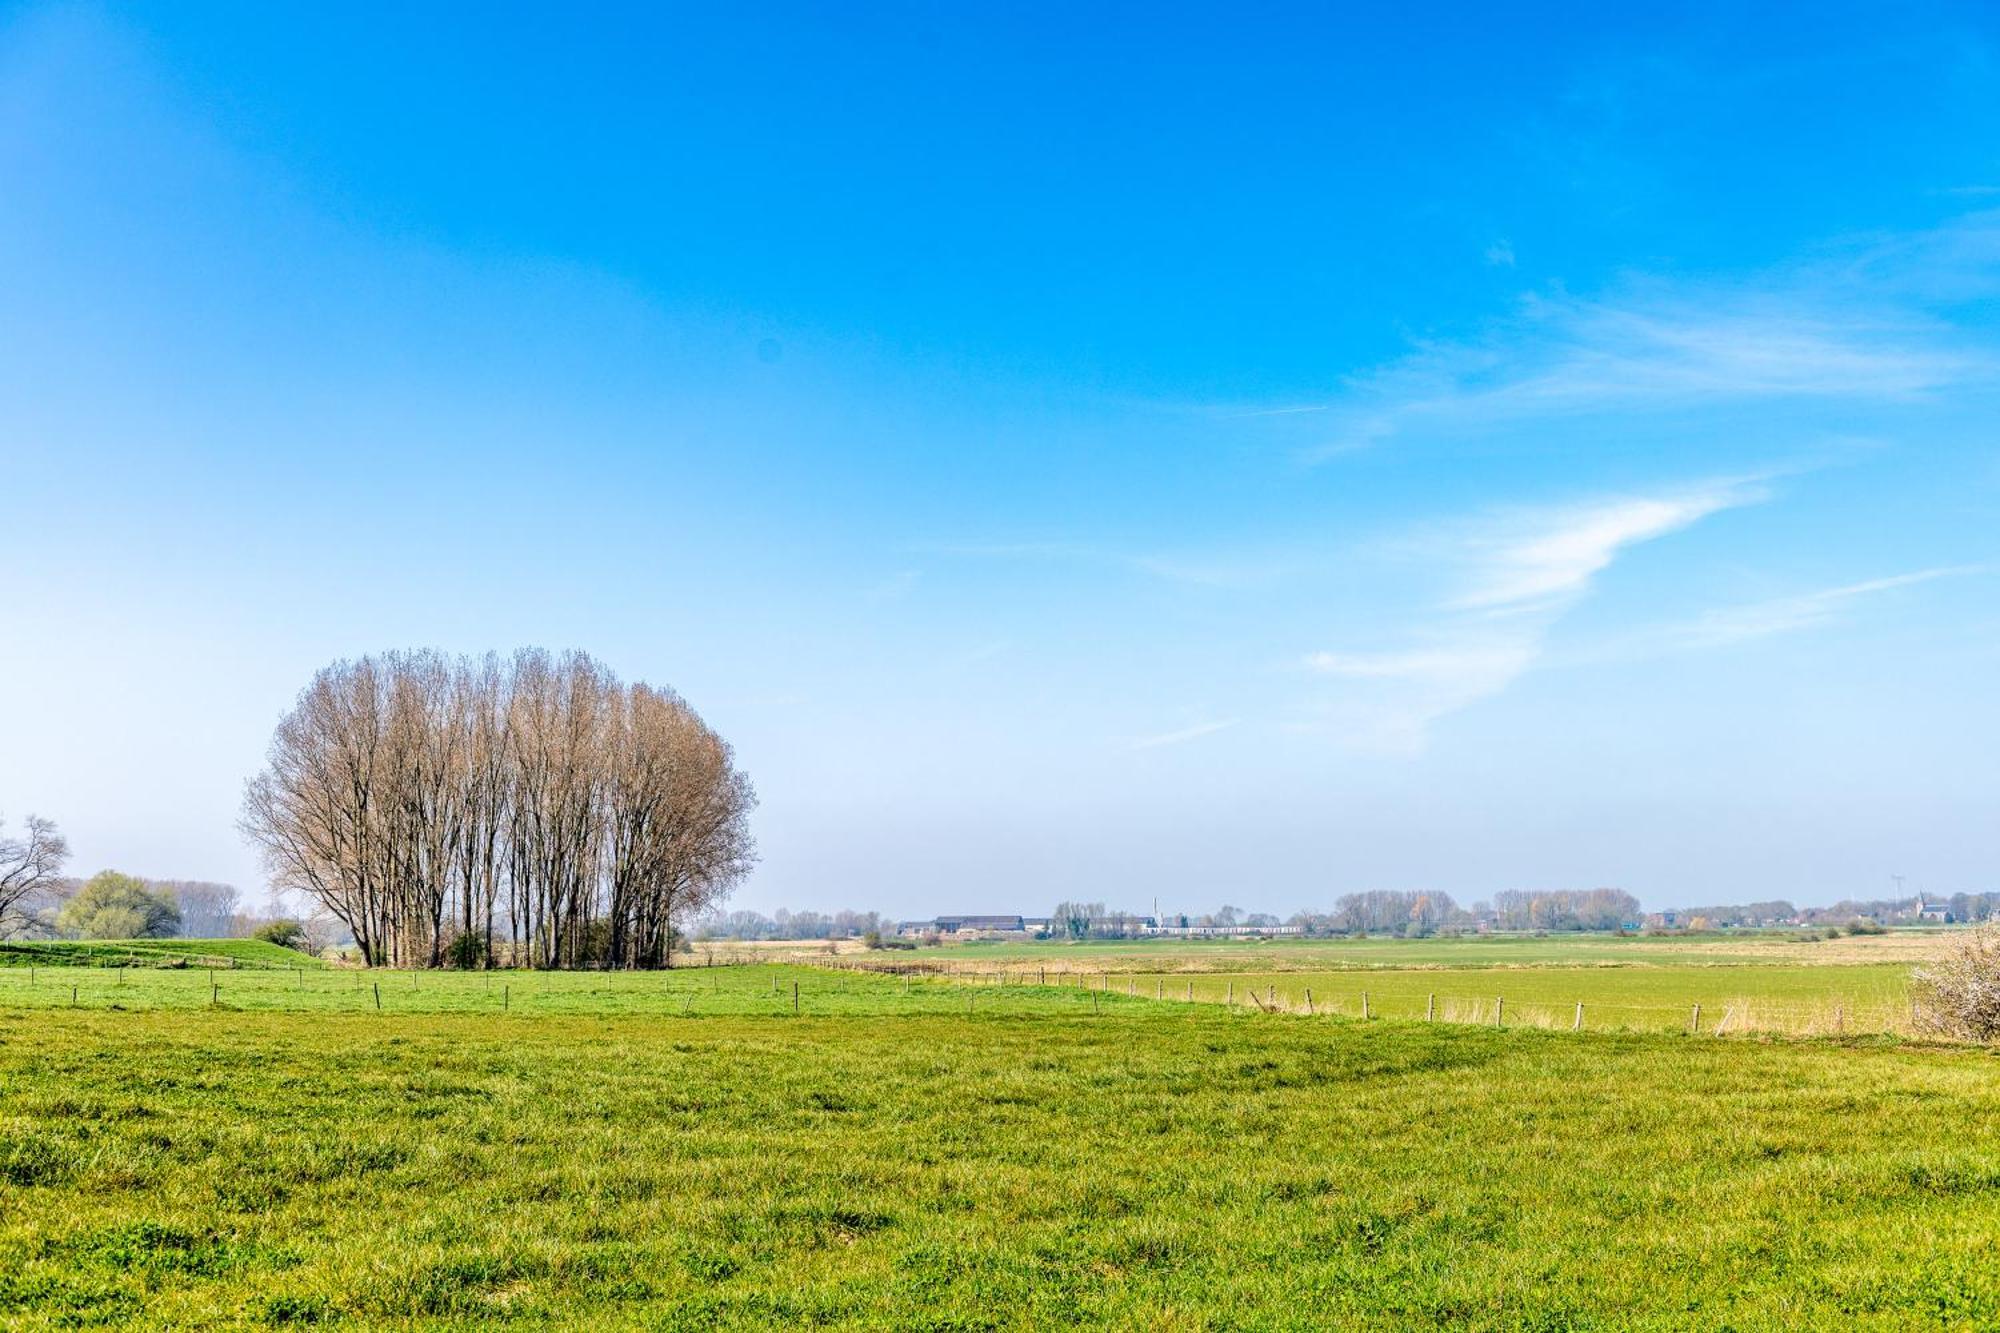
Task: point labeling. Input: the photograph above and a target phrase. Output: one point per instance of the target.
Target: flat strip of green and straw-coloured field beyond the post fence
(1713, 1000)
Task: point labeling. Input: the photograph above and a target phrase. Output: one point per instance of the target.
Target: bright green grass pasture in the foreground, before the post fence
(889, 1162)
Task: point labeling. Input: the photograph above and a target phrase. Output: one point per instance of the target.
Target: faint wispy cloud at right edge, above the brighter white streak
(1875, 321)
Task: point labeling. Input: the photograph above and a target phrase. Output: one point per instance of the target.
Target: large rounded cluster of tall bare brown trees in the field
(479, 810)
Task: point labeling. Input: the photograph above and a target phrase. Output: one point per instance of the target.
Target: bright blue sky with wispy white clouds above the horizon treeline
(1195, 455)
